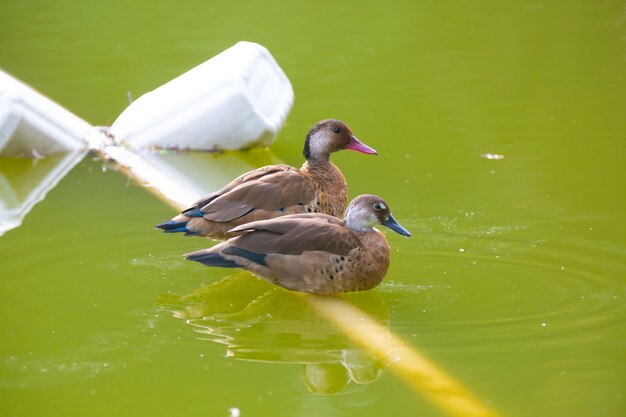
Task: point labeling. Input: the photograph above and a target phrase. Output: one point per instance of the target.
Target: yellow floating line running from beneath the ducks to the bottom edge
(414, 368)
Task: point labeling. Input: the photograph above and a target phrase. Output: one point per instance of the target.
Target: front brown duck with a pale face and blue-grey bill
(313, 252)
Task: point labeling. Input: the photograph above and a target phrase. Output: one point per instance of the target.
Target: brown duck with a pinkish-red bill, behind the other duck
(276, 190)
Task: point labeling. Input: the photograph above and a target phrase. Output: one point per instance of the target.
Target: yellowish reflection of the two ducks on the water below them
(257, 321)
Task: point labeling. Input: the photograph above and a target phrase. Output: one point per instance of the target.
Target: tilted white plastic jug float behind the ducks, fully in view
(237, 99)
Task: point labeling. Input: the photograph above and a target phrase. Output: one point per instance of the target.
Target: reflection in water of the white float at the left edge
(24, 182)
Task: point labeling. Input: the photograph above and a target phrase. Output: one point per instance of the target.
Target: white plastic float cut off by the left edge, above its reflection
(32, 125)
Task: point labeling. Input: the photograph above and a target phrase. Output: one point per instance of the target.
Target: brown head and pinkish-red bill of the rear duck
(330, 136)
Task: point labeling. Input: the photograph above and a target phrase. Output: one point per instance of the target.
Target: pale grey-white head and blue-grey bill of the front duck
(367, 211)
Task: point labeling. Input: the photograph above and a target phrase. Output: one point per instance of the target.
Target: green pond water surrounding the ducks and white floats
(501, 135)
